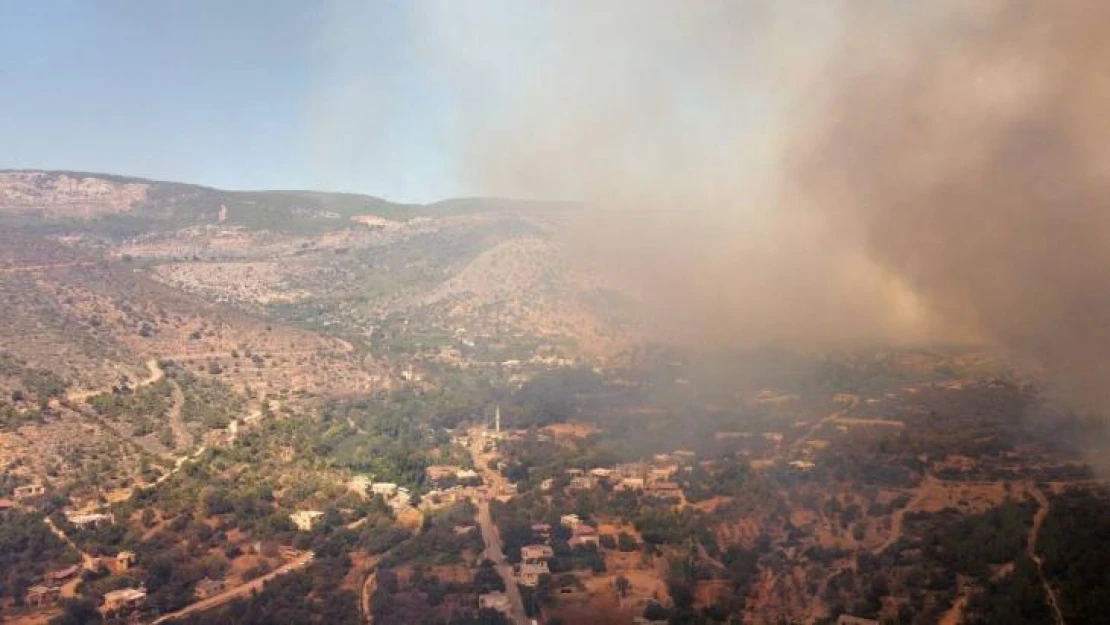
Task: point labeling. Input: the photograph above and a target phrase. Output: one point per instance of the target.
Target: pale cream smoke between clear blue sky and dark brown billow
(670, 122)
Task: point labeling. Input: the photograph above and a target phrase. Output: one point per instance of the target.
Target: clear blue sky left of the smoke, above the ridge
(235, 95)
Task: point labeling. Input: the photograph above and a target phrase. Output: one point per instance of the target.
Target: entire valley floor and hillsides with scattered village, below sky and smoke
(307, 408)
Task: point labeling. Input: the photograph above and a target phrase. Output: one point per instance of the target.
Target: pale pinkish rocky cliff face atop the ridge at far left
(68, 196)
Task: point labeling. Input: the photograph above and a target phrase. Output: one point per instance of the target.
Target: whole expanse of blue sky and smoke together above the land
(759, 146)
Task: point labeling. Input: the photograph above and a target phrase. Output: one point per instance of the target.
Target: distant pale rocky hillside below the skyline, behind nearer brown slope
(352, 266)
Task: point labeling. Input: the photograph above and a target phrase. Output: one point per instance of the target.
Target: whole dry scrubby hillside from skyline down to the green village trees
(259, 300)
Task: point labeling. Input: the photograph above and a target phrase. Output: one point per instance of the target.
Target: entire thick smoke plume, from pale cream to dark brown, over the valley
(811, 173)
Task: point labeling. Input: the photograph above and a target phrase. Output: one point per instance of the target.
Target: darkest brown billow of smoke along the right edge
(967, 149)
